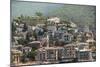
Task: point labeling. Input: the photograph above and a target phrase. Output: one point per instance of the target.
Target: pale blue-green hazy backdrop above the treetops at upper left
(29, 8)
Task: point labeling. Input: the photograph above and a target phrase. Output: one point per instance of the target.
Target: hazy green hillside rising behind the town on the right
(81, 15)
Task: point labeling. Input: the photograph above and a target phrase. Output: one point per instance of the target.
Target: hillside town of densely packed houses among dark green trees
(51, 41)
